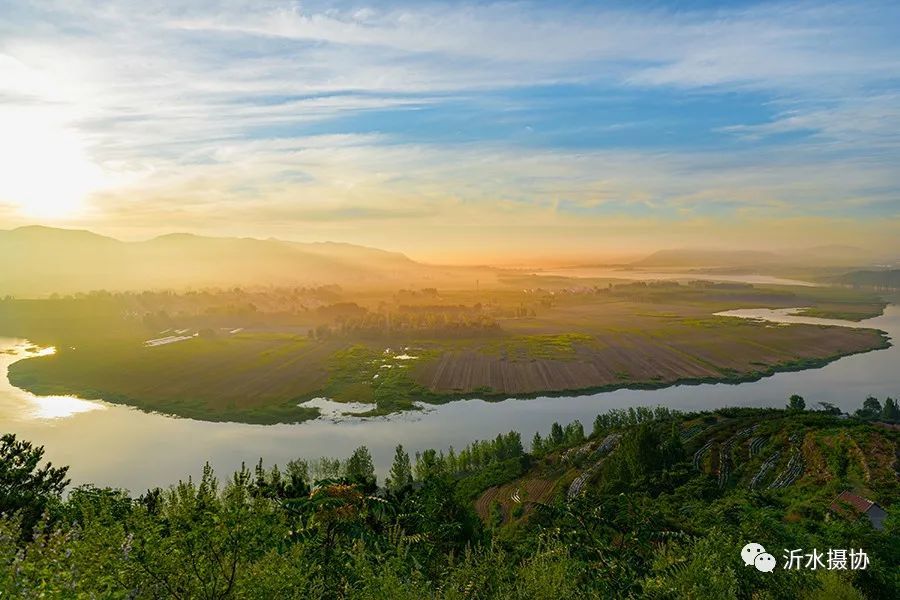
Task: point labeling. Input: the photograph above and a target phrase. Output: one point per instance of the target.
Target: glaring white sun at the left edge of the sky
(46, 172)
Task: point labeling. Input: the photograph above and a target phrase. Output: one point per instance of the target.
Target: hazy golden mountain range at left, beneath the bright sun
(39, 260)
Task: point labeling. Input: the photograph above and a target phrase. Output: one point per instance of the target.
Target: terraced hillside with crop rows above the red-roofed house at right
(795, 461)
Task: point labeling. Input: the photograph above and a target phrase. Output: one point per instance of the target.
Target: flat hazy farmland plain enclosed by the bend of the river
(392, 349)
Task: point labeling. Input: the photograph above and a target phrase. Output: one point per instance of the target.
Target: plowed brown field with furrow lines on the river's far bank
(619, 359)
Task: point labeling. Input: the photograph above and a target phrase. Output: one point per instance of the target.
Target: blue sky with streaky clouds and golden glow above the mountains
(457, 132)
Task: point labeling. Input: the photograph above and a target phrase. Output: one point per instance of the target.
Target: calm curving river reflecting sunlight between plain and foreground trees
(115, 445)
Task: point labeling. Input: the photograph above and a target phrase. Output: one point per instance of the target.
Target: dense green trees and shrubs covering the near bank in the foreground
(653, 519)
